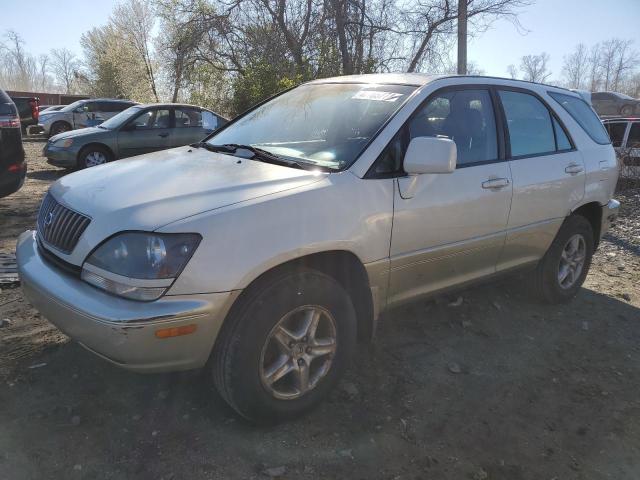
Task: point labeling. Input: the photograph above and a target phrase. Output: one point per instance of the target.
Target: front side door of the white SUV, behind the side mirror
(450, 228)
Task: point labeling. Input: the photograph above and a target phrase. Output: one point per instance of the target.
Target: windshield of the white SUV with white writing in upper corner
(322, 124)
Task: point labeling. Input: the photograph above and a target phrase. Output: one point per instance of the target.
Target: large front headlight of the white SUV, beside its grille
(139, 265)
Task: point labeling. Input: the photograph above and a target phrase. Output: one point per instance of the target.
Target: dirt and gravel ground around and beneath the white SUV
(498, 387)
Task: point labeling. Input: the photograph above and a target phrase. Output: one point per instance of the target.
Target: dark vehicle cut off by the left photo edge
(13, 168)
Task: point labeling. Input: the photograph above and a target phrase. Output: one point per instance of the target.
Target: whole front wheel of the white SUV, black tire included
(245, 353)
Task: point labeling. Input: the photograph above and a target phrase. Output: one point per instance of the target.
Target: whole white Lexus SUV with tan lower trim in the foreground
(264, 252)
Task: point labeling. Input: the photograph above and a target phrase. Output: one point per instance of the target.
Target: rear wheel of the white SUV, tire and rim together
(548, 282)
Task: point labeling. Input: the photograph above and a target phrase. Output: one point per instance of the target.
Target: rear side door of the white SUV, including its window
(548, 175)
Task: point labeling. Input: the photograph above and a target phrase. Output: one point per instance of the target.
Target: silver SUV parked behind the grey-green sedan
(80, 114)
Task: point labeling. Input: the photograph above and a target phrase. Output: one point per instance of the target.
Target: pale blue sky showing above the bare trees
(552, 26)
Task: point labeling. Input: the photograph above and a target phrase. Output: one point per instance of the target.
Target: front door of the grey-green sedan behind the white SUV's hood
(148, 132)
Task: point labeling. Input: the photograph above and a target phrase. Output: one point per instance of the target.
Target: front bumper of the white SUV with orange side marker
(122, 331)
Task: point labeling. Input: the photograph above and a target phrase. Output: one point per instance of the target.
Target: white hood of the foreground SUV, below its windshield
(149, 191)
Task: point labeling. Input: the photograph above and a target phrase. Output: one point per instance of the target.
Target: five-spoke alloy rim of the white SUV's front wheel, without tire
(298, 352)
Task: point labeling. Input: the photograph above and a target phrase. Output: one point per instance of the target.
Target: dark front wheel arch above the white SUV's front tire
(341, 265)
